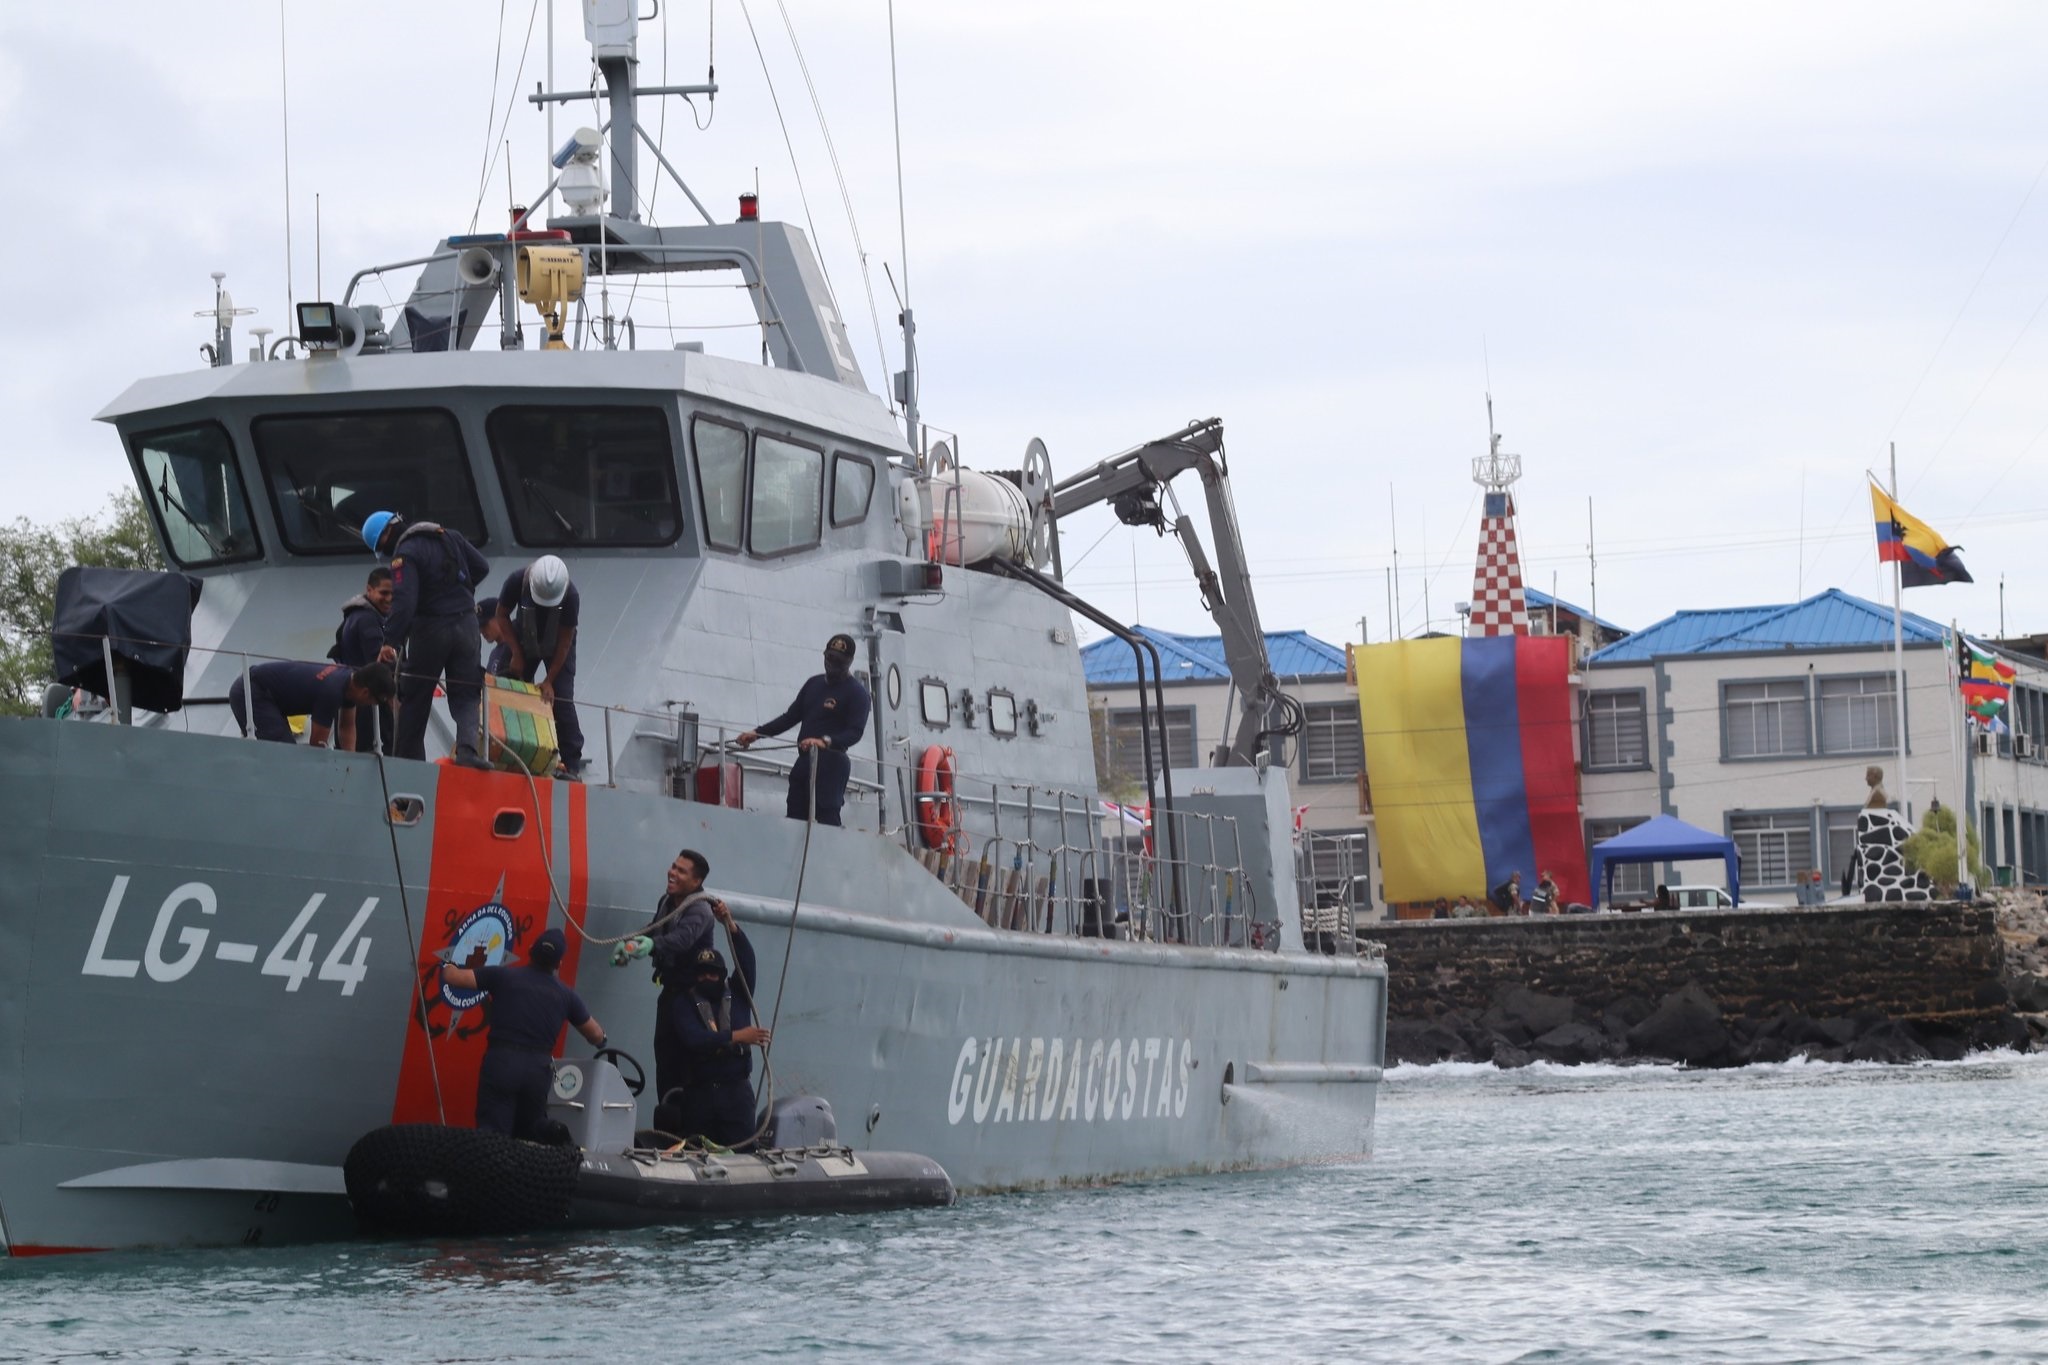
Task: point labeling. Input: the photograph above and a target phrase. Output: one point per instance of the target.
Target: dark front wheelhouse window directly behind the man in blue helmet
(329, 472)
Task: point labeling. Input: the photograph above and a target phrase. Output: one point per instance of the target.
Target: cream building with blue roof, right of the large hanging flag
(1762, 721)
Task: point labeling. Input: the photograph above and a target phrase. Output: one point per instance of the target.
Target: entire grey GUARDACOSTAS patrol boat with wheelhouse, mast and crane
(218, 957)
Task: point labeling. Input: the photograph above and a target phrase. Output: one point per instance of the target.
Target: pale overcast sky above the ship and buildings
(1711, 263)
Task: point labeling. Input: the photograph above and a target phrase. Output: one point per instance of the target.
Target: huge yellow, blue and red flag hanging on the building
(1469, 750)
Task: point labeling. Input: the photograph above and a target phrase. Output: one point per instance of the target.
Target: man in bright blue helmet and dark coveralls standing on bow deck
(435, 623)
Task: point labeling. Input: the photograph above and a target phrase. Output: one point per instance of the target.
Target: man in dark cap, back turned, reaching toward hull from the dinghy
(529, 1006)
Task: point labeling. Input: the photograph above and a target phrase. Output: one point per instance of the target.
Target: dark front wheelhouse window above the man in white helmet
(587, 476)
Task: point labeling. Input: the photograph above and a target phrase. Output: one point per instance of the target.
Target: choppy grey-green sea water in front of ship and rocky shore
(1549, 1215)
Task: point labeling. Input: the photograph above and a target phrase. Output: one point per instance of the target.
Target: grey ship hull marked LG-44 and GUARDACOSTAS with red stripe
(218, 973)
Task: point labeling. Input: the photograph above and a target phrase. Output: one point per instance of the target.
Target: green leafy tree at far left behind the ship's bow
(32, 558)
